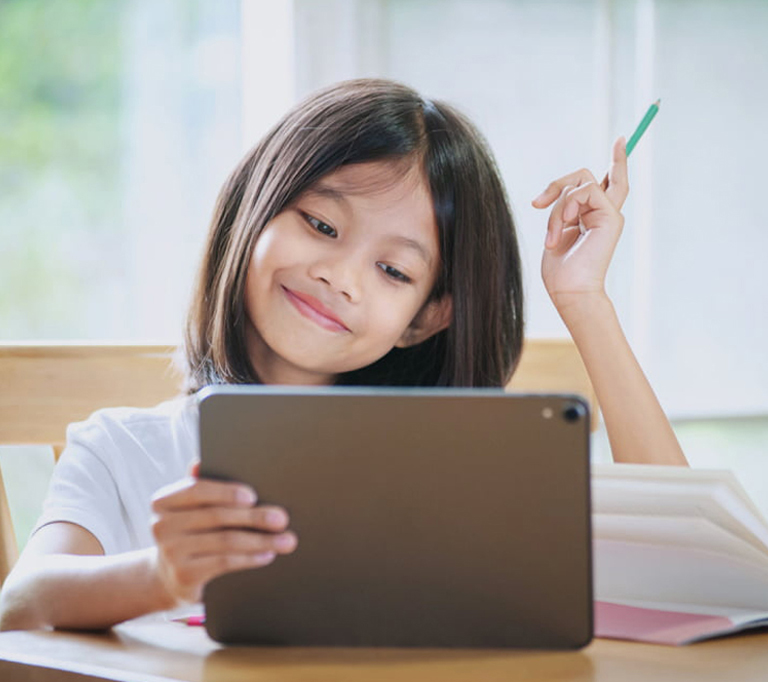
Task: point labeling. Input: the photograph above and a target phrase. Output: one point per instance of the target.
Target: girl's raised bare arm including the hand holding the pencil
(583, 229)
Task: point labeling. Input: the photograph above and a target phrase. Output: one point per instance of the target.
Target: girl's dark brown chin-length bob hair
(354, 122)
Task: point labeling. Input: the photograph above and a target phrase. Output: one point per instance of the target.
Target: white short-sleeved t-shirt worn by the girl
(112, 465)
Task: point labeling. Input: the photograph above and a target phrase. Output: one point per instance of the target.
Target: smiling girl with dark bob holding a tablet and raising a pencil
(366, 239)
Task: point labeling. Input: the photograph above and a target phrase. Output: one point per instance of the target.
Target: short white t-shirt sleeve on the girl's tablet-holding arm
(83, 489)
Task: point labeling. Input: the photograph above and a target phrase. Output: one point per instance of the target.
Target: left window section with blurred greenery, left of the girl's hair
(120, 121)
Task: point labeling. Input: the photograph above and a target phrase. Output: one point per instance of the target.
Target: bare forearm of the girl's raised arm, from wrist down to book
(638, 429)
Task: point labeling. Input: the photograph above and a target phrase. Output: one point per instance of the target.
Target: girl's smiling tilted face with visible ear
(342, 276)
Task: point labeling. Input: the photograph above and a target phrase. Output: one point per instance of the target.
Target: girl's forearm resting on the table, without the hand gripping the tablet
(82, 592)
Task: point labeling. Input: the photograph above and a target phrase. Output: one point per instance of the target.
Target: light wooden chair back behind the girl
(45, 387)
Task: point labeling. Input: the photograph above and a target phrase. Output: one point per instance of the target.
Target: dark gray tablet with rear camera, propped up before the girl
(433, 518)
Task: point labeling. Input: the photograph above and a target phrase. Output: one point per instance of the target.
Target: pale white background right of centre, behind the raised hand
(551, 83)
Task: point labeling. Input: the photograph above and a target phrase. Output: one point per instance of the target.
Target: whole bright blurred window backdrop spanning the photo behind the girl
(122, 118)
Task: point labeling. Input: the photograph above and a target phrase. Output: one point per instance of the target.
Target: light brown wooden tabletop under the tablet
(152, 651)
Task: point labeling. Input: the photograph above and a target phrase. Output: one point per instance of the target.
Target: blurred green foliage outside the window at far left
(60, 135)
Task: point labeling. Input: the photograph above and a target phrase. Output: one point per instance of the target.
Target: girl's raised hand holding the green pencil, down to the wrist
(583, 229)
